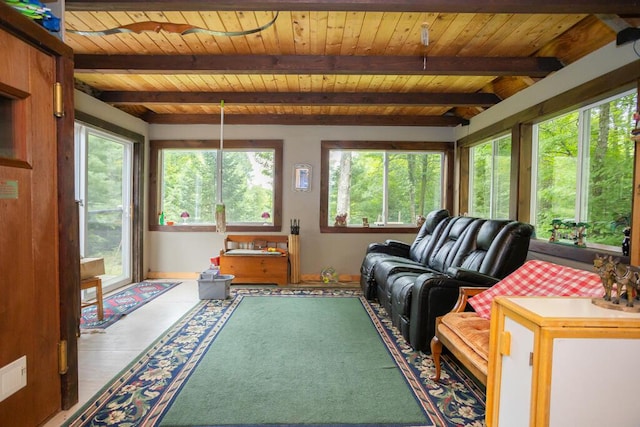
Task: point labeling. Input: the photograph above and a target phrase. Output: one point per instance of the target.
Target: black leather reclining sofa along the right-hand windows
(417, 283)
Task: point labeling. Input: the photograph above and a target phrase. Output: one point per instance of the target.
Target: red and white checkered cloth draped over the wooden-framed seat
(540, 278)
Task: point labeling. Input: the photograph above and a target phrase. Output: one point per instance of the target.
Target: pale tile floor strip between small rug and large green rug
(101, 356)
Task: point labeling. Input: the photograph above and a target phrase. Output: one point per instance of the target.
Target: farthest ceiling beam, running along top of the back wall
(293, 120)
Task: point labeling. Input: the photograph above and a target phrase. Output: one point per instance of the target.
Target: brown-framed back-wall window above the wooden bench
(185, 193)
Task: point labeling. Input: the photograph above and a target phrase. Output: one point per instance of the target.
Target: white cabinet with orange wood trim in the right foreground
(562, 361)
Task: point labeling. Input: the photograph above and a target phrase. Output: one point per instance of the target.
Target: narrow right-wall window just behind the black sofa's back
(490, 178)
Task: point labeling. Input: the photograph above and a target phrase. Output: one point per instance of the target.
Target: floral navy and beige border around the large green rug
(141, 394)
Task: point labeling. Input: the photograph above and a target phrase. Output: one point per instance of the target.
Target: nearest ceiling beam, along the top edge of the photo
(443, 6)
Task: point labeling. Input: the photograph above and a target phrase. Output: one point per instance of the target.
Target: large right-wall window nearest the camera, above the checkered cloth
(584, 170)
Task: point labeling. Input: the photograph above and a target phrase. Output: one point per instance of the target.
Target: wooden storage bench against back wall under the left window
(256, 258)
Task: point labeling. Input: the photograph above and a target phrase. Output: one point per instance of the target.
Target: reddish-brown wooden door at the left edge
(29, 275)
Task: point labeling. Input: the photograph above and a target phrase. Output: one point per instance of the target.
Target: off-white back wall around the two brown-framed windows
(190, 252)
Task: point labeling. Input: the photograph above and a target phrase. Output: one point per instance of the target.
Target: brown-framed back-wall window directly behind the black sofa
(380, 184)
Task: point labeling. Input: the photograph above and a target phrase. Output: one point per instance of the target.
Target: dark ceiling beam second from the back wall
(302, 98)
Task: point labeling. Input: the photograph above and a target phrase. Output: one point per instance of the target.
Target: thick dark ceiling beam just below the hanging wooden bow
(321, 64)
